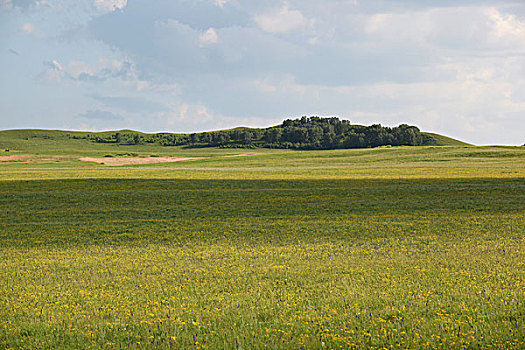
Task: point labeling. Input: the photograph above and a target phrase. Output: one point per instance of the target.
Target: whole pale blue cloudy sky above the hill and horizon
(455, 67)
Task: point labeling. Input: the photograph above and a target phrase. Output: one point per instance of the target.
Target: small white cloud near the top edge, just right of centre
(282, 20)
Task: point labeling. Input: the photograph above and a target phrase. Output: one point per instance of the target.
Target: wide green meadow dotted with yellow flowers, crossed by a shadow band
(406, 247)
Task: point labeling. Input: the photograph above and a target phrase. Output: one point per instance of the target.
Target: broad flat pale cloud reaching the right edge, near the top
(462, 29)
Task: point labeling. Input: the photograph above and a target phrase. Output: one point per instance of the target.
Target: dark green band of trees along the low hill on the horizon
(307, 133)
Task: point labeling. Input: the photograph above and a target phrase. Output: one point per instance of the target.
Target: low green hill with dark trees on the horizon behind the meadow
(306, 133)
